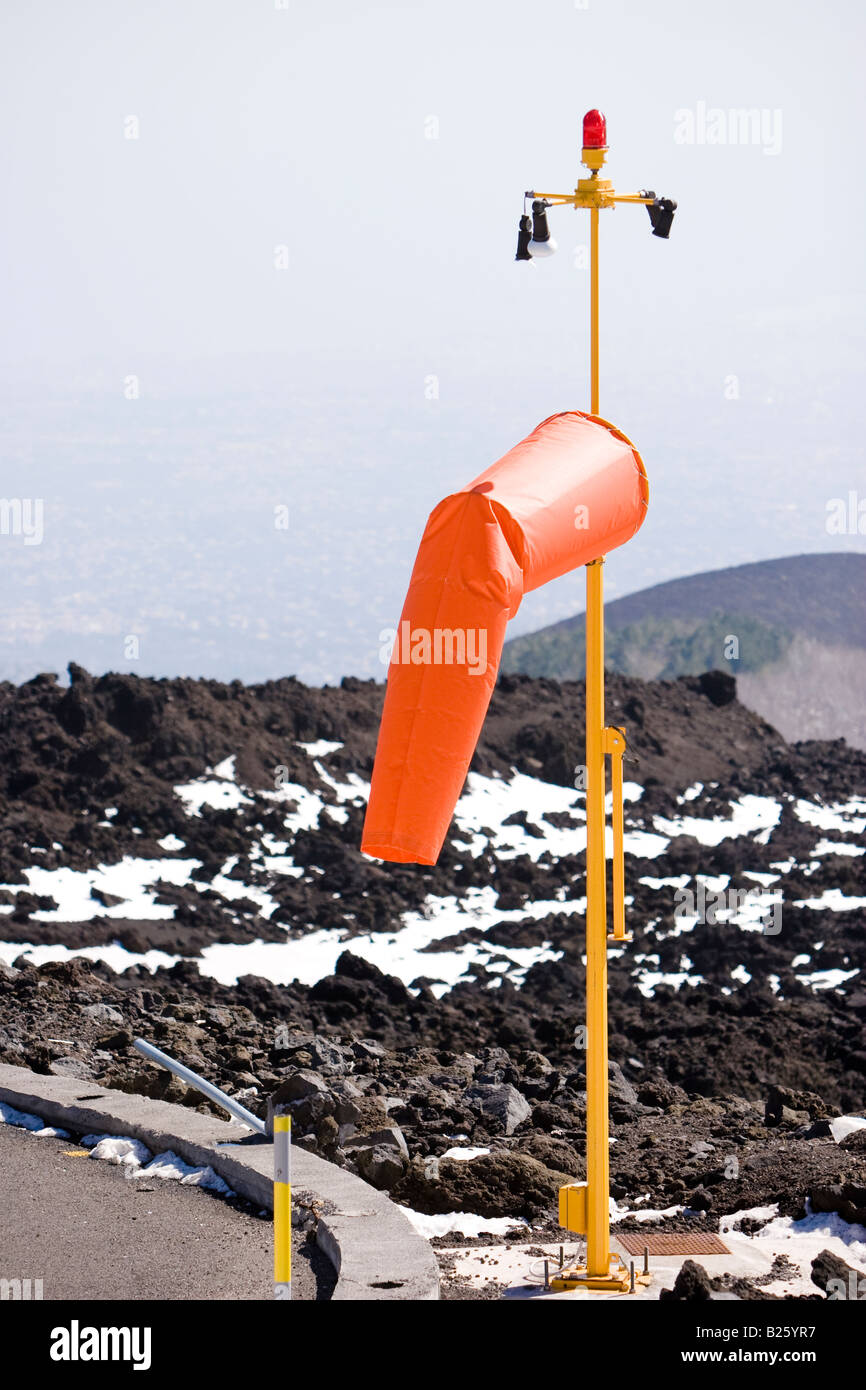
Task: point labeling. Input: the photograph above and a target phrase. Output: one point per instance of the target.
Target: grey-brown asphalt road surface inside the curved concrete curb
(90, 1232)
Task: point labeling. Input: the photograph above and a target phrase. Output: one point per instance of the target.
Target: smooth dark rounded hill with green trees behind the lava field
(793, 630)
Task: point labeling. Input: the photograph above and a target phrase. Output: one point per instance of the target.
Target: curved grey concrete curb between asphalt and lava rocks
(372, 1245)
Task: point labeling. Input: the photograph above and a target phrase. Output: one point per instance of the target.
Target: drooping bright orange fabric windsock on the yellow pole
(571, 493)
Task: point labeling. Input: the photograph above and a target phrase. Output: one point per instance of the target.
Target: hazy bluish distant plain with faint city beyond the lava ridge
(273, 534)
